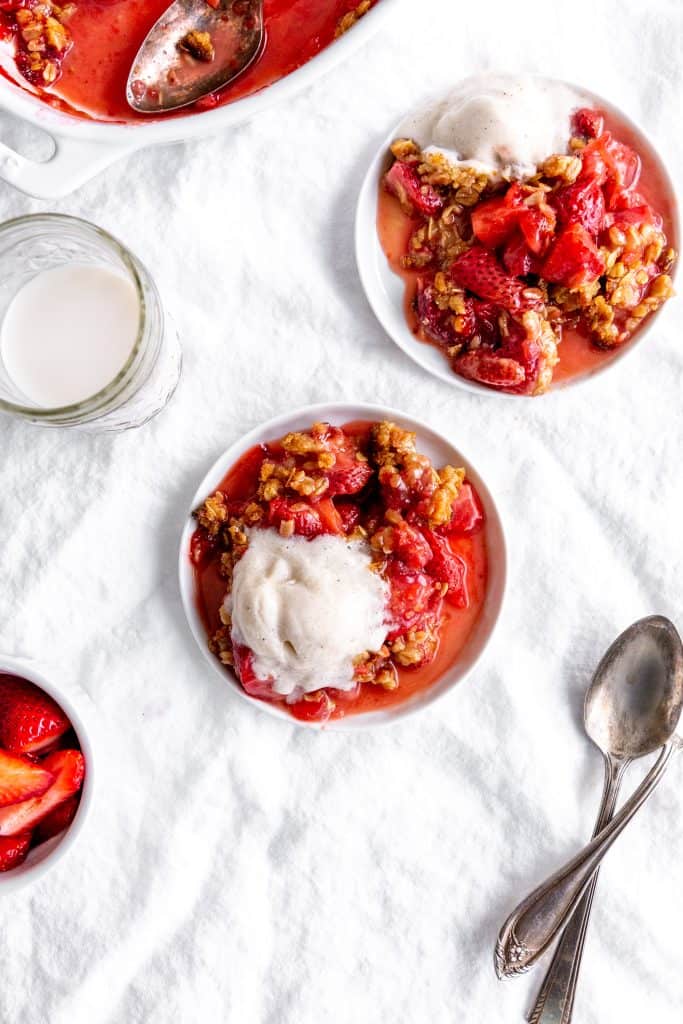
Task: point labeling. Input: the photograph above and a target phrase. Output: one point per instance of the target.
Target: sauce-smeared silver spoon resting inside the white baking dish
(196, 48)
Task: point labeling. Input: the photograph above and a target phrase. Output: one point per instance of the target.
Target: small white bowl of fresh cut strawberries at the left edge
(47, 772)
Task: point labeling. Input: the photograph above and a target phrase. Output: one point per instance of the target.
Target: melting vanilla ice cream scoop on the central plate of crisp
(307, 609)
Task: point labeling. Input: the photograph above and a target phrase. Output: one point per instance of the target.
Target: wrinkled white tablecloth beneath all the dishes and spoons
(244, 871)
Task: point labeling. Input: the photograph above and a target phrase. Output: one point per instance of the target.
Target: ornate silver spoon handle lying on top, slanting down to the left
(533, 926)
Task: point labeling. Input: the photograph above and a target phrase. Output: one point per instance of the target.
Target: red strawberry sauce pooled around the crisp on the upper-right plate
(578, 356)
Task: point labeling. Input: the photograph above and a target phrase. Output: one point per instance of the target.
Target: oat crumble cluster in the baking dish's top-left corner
(42, 39)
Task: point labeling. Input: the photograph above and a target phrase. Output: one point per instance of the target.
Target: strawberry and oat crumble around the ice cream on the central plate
(372, 486)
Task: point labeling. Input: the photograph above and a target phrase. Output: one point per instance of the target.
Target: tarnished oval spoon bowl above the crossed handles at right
(634, 702)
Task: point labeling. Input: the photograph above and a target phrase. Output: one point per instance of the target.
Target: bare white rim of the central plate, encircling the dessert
(441, 451)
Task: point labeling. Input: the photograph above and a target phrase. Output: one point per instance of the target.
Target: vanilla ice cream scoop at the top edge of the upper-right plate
(503, 125)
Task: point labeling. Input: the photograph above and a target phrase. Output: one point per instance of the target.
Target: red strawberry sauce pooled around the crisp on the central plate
(457, 624)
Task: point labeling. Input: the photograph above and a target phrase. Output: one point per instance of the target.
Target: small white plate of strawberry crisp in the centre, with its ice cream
(343, 566)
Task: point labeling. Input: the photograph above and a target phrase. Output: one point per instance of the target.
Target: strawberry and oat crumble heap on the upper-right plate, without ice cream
(504, 267)
